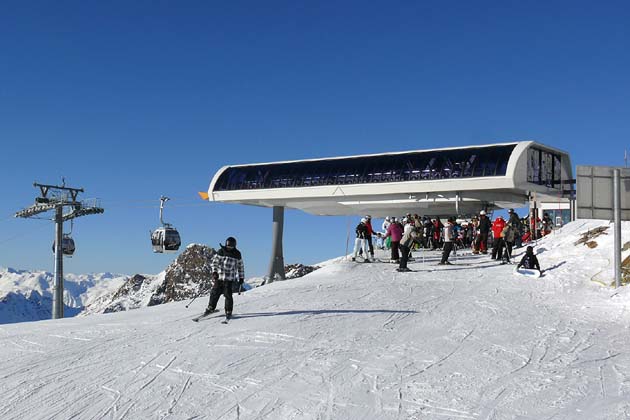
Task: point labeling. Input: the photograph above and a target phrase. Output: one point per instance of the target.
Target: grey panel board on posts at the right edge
(595, 192)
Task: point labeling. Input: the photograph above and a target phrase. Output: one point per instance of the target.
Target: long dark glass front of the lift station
(414, 166)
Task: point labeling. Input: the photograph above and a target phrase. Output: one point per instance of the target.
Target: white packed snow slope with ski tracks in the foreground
(349, 341)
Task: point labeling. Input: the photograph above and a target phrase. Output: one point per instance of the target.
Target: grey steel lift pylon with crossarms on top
(57, 198)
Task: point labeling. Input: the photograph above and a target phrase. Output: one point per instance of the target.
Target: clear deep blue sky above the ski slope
(132, 100)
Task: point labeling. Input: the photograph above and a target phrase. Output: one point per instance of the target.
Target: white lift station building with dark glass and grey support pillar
(435, 182)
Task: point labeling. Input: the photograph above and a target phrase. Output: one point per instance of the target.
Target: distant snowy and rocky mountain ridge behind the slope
(27, 296)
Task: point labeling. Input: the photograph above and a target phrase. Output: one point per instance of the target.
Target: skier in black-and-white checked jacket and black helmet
(227, 268)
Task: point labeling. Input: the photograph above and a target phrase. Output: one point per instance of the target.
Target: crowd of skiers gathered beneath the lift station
(401, 236)
